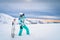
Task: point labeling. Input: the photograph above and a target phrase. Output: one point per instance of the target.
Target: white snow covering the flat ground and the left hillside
(37, 31)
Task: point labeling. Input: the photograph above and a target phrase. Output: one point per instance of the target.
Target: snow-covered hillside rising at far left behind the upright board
(5, 18)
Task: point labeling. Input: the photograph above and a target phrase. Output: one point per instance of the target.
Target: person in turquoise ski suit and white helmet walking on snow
(22, 24)
